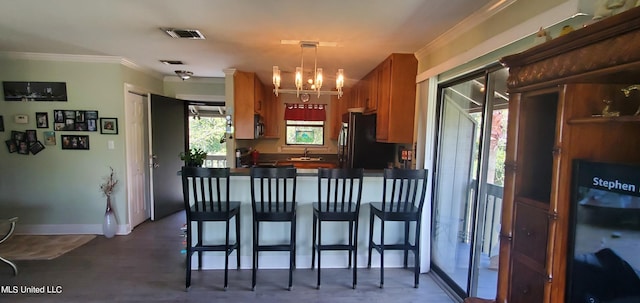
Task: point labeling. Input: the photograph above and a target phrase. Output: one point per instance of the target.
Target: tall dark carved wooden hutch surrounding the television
(556, 93)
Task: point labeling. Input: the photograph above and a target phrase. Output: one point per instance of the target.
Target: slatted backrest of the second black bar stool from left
(273, 188)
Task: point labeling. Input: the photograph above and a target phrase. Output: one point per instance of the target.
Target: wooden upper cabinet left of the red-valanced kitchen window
(248, 102)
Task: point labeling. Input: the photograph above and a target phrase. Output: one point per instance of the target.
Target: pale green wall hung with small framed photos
(62, 186)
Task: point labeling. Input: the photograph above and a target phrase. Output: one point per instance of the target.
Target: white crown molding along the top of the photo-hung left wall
(79, 58)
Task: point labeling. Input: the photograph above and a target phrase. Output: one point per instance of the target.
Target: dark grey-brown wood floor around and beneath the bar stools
(146, 266)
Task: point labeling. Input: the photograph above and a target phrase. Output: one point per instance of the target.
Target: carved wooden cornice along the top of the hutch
(611, 42)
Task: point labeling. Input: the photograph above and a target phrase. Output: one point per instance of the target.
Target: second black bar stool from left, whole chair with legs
(273, 199)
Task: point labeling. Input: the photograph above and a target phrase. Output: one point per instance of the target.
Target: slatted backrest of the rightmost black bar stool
(404, 189)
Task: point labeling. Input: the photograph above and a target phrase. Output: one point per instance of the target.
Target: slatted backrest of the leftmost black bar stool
(205, 189)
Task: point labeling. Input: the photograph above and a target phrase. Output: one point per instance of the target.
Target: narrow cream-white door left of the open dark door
(136, 153)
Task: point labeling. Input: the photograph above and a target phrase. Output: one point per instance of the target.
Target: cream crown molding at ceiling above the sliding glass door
(471, 21)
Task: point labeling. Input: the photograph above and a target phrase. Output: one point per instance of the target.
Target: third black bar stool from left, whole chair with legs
(339, 194)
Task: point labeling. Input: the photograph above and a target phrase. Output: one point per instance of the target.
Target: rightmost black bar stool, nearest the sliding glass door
(403, 196)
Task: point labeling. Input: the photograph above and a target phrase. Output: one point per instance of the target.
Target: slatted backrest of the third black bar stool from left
(339, 190)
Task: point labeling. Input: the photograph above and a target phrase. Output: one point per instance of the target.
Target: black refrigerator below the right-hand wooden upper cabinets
(357, 146)
